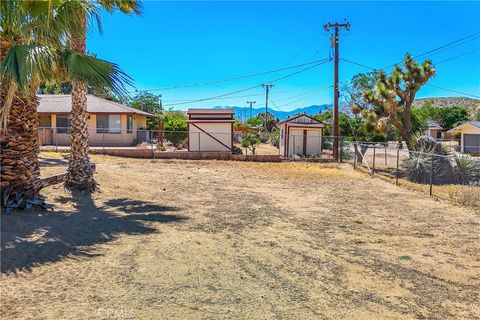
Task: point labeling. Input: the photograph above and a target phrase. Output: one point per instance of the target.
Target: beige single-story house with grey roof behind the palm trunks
(109, 123)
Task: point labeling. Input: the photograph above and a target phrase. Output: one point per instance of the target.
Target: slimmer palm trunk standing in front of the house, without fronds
(80, 172)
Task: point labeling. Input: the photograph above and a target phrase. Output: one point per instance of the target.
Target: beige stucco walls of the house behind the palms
(108, 139)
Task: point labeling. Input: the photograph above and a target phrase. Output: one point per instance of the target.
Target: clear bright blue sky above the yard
(176, 43)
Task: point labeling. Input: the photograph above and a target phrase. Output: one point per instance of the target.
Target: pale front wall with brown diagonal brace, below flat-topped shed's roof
(221, 131)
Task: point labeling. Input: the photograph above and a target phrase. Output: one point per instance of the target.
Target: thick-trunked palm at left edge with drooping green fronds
(34, 47)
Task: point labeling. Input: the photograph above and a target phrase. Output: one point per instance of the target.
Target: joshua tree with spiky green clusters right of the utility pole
(389, 101)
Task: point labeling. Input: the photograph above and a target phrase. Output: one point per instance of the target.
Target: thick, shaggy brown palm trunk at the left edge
(19, 147)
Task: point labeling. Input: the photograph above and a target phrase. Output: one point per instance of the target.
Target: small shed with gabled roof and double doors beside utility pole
(301, 135)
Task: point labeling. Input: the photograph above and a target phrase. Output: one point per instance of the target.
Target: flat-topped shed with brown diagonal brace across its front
(210, 130)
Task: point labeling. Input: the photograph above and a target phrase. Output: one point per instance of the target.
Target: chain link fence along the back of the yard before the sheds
(309, 147)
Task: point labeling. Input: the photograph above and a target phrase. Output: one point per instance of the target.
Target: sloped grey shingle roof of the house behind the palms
(56, 103)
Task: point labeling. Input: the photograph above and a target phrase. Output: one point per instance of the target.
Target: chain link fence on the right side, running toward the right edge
(454, 177)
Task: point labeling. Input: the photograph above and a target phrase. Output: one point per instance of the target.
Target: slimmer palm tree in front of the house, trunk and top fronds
(80, 172)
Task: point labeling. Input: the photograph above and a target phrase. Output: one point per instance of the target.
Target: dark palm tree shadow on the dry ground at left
(38, 237)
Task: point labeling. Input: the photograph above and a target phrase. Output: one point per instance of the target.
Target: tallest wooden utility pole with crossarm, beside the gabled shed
(336, 94)
